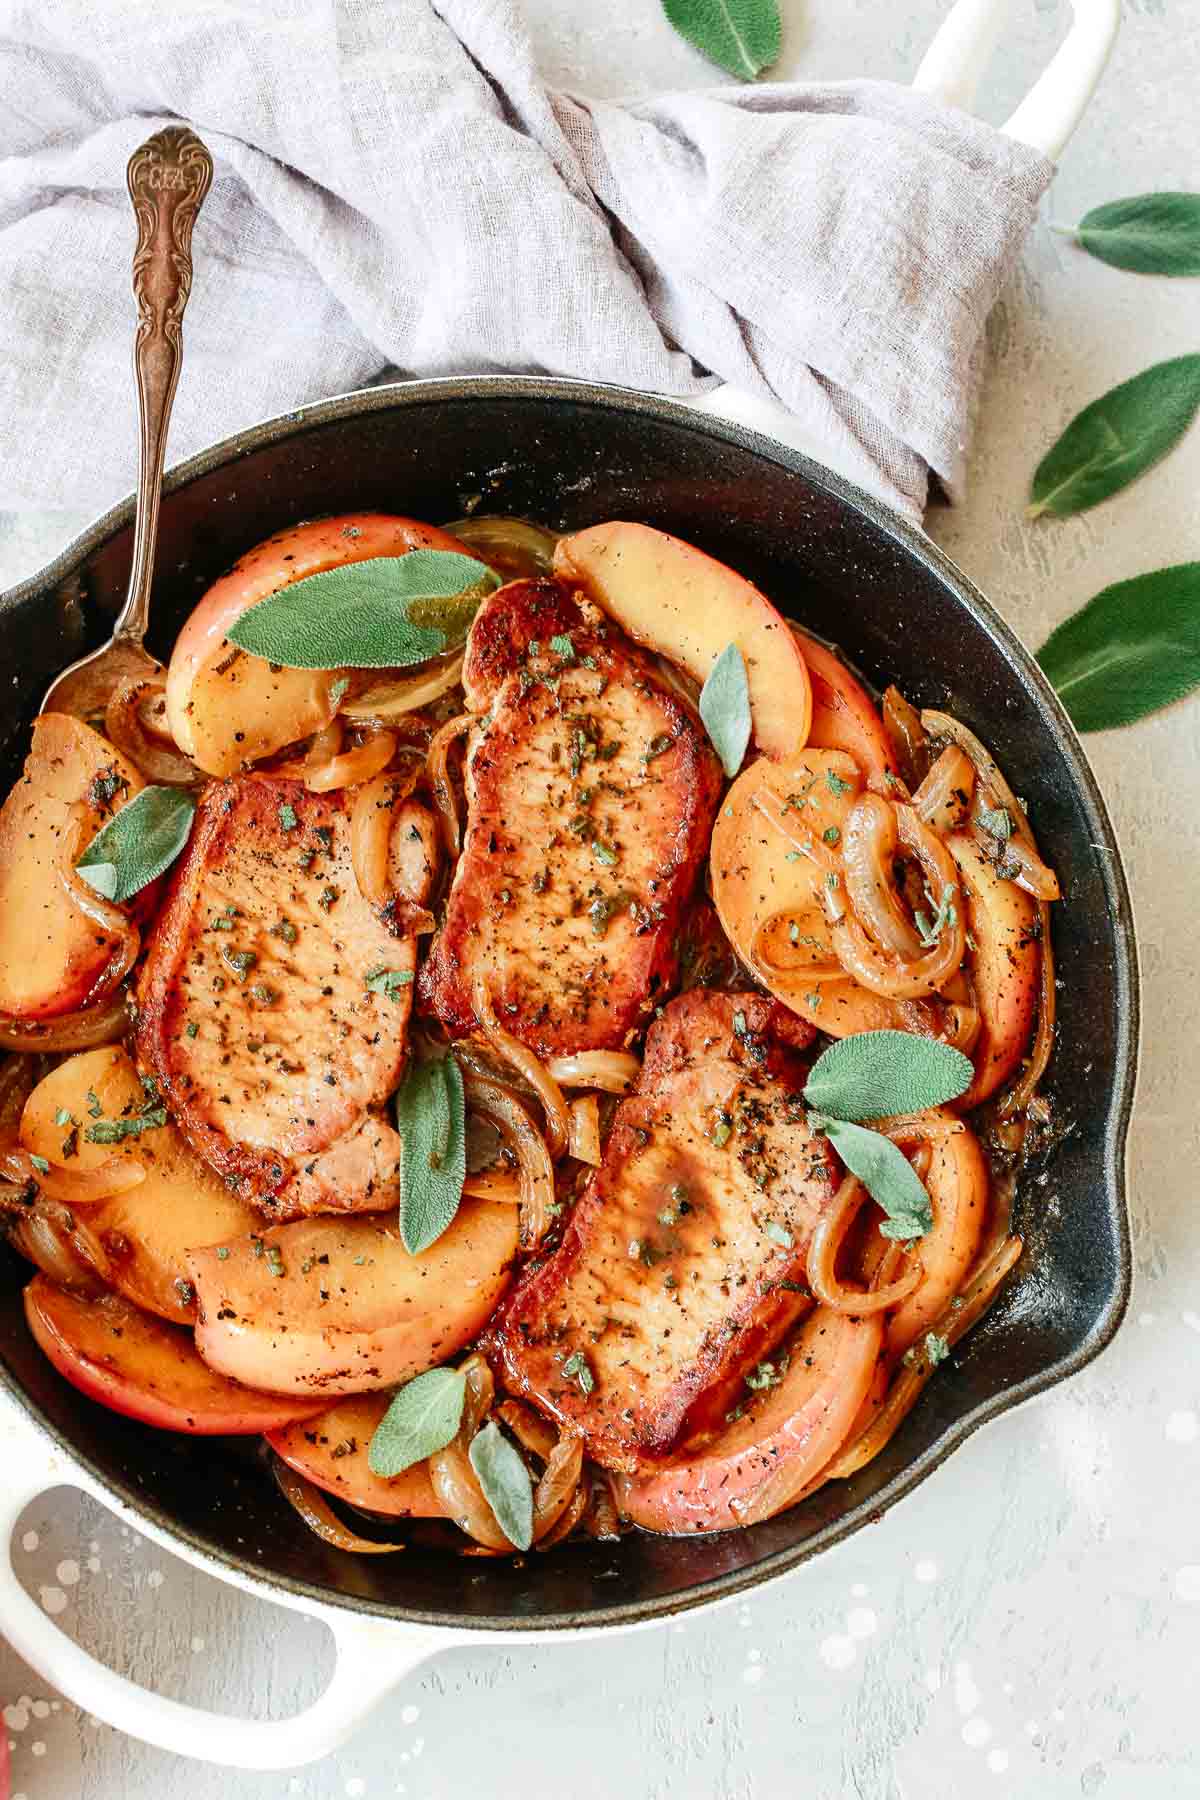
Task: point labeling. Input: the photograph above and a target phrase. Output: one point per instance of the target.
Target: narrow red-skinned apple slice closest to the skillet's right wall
(1005, 967)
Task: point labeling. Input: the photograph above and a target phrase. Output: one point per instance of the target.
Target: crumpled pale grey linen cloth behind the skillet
(397, 190)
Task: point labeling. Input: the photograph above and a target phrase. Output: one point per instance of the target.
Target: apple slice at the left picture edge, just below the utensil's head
(53, 955)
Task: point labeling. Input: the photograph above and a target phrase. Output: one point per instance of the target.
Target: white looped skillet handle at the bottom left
(372, 1657)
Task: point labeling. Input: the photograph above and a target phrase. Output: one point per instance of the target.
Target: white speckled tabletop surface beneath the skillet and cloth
(1028, 1623)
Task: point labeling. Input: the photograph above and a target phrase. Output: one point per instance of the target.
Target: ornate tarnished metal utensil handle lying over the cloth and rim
(168, 179)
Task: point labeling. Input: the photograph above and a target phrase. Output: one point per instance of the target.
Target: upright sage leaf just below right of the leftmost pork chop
(431, 1119)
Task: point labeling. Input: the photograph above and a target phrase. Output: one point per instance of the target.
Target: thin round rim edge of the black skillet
(1113, 1162)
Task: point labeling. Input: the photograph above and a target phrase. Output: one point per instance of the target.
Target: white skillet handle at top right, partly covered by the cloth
(951, 71)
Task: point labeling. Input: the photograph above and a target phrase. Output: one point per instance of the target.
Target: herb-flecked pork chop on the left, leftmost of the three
(274, 1002)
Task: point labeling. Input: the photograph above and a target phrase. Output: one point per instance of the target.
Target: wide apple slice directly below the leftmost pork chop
(339, 1306)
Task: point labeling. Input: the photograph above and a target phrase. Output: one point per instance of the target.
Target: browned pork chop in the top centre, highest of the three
(591, 795)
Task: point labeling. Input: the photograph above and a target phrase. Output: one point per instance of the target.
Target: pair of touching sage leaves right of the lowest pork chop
(879, 1075)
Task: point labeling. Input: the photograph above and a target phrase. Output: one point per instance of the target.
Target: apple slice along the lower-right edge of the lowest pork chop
(760, 1464)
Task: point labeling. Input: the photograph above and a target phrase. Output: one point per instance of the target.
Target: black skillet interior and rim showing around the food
(571, 454)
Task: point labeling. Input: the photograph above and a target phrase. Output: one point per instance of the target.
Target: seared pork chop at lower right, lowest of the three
(685, 1259)
